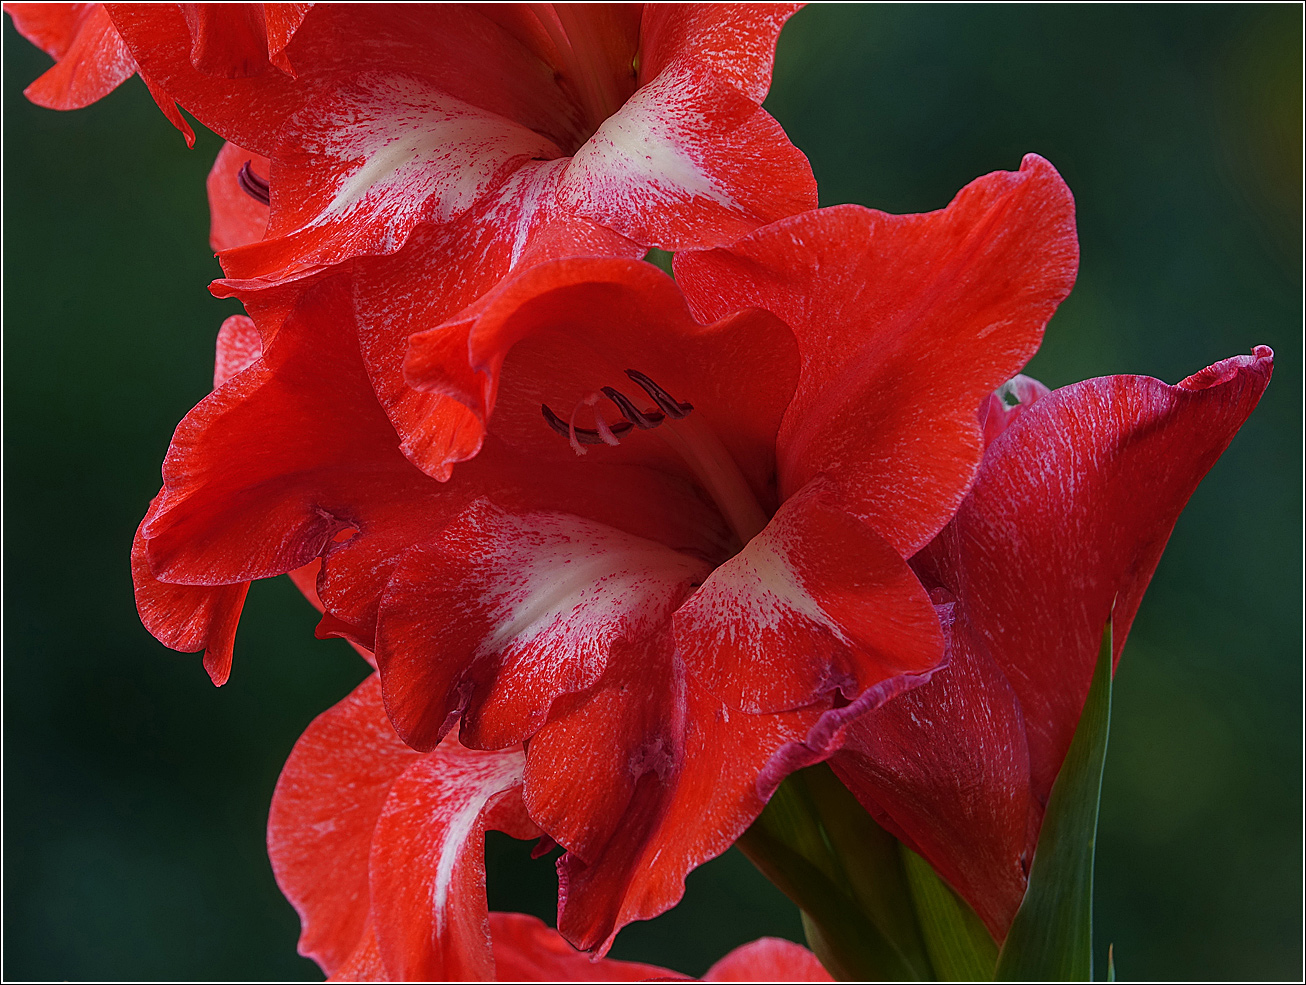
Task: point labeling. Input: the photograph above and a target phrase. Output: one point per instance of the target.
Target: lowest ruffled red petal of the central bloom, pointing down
(643, 779)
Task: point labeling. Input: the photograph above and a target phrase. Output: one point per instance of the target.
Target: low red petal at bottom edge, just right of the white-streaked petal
(526, 949)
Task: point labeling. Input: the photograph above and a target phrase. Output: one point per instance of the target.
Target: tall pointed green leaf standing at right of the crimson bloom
(1052, 937)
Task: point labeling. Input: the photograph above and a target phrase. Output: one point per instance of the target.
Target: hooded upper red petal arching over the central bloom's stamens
(557, 322)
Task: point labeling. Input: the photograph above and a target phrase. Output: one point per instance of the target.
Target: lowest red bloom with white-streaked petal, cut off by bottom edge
(381, 850)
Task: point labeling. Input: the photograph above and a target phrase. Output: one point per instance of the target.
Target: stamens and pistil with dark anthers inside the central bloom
(692, 438)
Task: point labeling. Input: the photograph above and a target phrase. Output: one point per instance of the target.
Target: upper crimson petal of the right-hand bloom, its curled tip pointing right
(1106, 467)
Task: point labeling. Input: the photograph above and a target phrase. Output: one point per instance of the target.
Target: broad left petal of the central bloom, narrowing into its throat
(279, 464)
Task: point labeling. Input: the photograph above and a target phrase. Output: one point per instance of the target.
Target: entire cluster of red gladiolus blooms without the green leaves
(628, 551)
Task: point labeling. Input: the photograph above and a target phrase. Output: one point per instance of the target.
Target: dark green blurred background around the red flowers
(136, 794)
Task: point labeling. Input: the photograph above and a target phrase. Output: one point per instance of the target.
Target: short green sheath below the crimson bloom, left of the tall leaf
(959, 945)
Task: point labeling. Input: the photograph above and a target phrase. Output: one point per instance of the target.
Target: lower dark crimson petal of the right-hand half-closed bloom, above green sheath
(949, 766)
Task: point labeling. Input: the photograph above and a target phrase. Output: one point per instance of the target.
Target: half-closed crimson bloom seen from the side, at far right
(1065, 526)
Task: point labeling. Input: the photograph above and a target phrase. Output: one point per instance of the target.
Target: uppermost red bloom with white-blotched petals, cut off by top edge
(477, 139)
